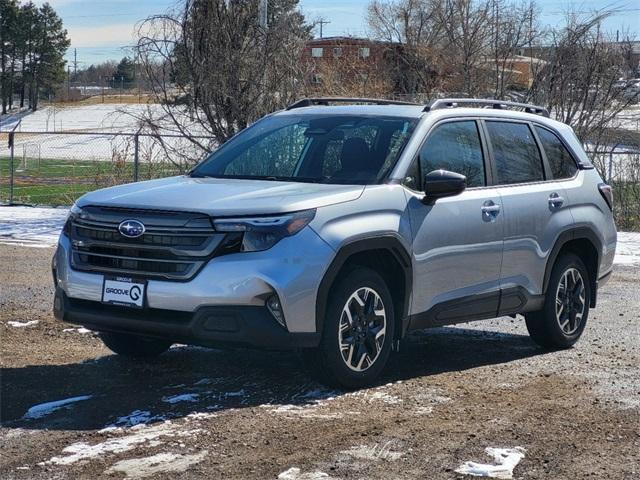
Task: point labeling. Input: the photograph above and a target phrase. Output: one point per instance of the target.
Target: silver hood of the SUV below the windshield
(222, 197)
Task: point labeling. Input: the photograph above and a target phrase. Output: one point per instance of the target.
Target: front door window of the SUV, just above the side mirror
(455, 147)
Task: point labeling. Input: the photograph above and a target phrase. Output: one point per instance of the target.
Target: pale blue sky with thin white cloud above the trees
(99, 29)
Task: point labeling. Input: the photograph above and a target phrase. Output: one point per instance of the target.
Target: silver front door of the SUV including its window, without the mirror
(457, 244)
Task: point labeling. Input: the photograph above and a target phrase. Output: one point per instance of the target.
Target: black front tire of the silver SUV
(327, 362)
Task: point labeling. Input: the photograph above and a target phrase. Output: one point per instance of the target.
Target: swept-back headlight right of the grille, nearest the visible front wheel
(262, 233)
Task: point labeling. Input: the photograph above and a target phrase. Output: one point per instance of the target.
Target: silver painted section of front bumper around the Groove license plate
(292, 269)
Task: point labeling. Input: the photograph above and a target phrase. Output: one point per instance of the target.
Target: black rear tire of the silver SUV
(544, 326)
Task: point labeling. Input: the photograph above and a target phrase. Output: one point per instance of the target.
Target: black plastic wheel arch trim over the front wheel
(388, 241)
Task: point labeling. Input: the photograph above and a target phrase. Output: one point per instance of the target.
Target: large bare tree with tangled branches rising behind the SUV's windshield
(214, 69)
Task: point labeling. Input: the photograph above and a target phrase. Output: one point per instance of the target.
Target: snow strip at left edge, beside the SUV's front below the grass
(38, 227)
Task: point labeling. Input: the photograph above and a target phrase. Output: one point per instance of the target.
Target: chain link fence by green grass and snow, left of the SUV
(55, 168)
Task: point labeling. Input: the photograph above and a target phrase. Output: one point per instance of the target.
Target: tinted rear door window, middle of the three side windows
(515, 153)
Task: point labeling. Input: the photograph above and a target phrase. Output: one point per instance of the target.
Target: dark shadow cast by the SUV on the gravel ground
(189, 380)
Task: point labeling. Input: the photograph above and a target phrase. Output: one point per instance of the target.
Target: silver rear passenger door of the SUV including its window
(535, 209)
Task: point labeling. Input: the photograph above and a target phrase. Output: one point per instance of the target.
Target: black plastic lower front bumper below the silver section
(207, 326)
